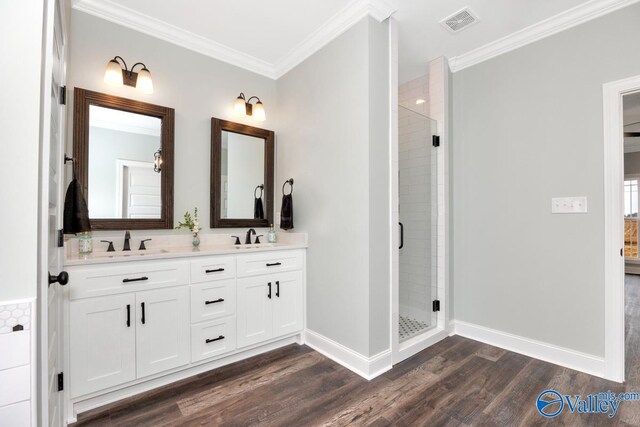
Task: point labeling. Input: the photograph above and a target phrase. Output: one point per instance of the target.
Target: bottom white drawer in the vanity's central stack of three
(213, 338)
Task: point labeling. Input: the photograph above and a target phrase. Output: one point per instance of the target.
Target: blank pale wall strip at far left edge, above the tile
(21, 41)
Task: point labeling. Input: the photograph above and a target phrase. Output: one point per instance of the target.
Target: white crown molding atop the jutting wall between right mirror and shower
(335, 26)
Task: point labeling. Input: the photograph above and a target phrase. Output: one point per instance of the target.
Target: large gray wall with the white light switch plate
(528, 127)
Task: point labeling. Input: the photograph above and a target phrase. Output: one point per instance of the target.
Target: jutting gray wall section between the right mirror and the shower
(329, 139)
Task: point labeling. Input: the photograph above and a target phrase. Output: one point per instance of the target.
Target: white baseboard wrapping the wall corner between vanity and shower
(366, 367)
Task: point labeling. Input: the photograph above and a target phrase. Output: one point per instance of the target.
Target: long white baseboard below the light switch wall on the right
(537, 349)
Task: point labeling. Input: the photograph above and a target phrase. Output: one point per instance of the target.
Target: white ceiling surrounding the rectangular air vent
(271, 37)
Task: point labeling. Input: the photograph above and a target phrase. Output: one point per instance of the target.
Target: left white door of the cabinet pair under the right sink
(254, 310)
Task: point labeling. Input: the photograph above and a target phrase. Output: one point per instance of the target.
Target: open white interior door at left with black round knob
(52, 181)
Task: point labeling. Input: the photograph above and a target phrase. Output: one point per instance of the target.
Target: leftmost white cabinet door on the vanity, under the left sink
(102, 343)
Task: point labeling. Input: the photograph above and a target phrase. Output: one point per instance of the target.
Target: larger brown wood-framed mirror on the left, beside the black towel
(123, 159)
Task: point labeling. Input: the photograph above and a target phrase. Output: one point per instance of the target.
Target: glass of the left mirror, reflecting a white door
(122, 180)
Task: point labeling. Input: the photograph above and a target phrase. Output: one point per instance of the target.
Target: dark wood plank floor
(457, 382)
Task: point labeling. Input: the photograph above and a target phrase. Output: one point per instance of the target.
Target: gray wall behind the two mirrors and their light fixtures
(196, 86)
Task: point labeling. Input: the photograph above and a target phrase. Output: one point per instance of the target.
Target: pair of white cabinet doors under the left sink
(123, 337)
